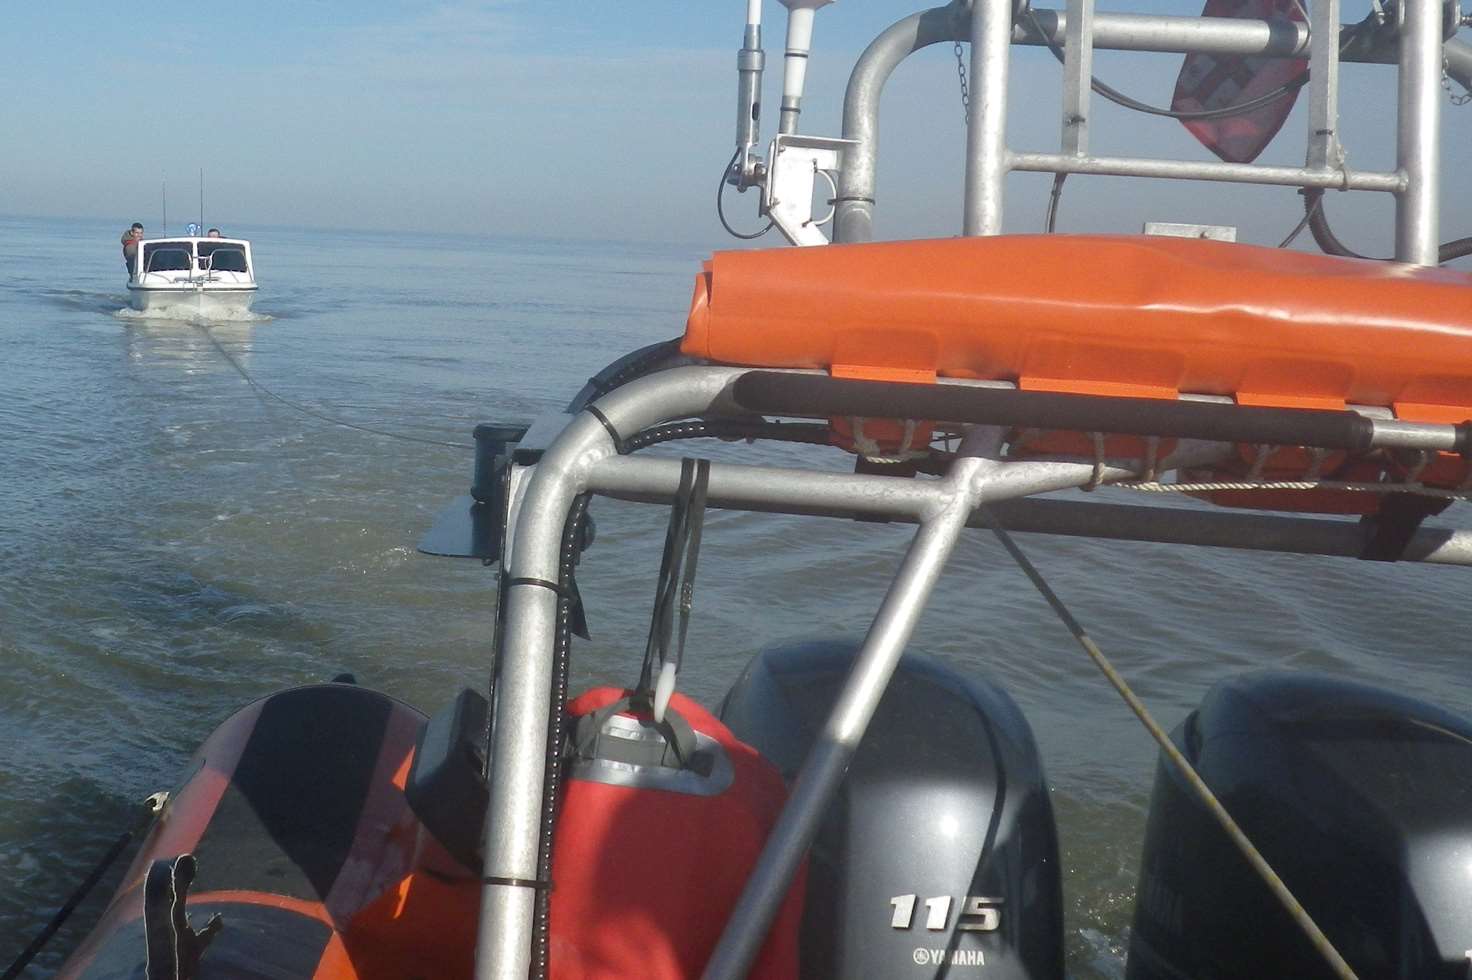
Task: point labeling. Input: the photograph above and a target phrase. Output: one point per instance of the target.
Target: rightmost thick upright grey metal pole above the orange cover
(1418, 129)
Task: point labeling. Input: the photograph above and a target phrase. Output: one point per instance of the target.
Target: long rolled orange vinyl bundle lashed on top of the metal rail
(1111, 316)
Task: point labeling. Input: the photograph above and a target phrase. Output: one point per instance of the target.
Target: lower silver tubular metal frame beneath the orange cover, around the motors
(584, 458)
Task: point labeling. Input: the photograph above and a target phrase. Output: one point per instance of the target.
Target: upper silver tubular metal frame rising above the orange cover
(991, 32)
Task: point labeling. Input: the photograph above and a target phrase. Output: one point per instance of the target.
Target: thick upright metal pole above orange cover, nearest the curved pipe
(987, 161)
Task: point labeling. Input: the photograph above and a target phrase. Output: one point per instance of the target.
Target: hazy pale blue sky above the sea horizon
(584, 120)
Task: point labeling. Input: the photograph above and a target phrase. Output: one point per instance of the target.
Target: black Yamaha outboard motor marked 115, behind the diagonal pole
(940, 857)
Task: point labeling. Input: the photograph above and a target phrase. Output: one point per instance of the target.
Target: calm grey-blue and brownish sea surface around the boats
(174, 544)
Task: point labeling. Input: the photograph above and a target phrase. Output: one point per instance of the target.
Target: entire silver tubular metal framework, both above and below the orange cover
(584, 457)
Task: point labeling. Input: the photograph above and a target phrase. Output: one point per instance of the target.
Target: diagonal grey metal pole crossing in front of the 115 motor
(831, 756)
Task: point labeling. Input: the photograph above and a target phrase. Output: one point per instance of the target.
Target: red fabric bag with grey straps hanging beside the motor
(644, 878)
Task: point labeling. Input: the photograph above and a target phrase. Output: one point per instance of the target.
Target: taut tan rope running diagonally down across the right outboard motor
(1193, 779)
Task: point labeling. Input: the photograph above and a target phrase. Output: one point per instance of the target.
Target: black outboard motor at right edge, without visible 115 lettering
(1361, 801)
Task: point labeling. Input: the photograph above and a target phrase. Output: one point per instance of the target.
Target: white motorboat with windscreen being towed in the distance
(192, 276)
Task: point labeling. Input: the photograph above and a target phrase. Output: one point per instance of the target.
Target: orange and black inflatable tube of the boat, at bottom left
(307, 850)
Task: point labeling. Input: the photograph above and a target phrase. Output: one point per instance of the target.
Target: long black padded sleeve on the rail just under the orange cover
(815, 397)
